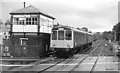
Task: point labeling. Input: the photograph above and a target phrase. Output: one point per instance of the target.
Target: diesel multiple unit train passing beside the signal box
(66, 41)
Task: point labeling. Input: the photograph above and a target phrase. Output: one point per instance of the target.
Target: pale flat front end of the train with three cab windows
(62, 39)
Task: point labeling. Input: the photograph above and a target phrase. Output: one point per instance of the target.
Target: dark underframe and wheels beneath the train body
(68, 52)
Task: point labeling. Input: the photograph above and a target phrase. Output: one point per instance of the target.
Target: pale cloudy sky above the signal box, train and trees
(96, 15)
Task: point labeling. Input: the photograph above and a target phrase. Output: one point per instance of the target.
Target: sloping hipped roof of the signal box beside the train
(30, 10)
